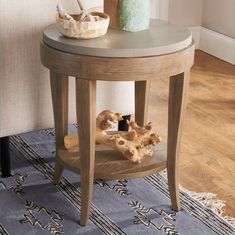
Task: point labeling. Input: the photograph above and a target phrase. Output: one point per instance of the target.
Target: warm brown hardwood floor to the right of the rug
(207, 160)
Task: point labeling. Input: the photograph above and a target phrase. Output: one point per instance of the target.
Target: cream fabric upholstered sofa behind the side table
(25, 100)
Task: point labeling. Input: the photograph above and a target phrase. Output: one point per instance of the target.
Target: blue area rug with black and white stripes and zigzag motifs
(31, 204)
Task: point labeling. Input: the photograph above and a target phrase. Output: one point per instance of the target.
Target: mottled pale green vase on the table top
(134, 15)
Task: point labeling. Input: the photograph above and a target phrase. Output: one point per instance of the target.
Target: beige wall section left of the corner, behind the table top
(185, 12)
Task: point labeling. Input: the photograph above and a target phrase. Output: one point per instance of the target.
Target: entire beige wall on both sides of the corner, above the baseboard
(217, 15)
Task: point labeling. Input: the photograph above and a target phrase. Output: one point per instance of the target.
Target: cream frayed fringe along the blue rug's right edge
(209, 200)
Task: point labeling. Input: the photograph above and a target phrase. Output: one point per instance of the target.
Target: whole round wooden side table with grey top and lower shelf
(163, 50)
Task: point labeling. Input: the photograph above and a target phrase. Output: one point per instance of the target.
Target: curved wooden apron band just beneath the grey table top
(117, 69)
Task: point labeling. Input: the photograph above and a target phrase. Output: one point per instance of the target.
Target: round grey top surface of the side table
(161, 38)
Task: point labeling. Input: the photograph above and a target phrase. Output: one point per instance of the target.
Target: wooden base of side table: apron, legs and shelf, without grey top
(88, 69)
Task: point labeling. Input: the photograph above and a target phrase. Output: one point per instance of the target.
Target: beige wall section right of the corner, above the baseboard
(219, 16)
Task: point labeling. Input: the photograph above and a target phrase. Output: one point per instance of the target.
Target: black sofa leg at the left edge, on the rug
(5, 156)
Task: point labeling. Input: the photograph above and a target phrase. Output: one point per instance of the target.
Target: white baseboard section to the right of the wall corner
(217, 44)
